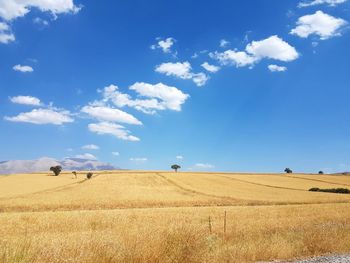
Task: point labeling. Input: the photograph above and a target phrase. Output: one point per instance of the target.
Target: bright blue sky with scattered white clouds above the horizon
(226, 85)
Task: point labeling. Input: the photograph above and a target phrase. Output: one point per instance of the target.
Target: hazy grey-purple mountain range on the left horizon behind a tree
(44, 164)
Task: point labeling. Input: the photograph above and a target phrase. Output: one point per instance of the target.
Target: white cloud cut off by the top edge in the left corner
(12, 9)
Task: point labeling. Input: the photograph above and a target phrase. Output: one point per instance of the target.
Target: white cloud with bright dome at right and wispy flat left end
(272, 47)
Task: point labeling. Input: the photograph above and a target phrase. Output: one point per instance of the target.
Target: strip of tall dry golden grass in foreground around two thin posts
(175, 234)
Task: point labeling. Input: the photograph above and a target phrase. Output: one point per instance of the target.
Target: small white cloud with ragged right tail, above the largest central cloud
(183, 71)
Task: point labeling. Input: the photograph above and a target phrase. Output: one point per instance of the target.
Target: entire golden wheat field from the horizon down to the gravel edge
(139, 216)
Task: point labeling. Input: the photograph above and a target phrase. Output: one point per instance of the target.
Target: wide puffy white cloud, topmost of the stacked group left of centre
(156, 97)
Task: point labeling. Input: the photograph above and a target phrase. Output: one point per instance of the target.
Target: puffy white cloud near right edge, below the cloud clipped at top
(321, 24)
